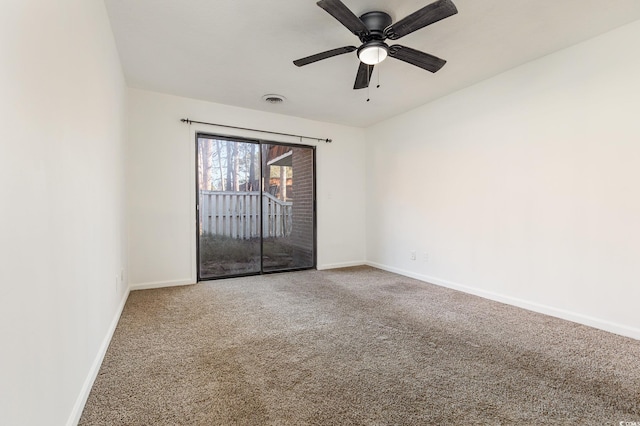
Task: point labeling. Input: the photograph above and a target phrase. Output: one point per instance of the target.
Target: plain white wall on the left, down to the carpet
(62, 243)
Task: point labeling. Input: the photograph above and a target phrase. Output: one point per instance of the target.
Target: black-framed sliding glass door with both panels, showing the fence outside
(255, 205)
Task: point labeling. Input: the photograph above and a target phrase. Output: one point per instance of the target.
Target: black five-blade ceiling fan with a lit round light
(373, 28)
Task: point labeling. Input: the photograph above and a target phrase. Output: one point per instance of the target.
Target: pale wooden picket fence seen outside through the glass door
(237, 214)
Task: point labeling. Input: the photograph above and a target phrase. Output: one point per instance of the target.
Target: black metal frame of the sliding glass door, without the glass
(260, 143)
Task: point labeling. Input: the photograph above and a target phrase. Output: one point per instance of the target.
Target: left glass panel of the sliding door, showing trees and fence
(229, 228)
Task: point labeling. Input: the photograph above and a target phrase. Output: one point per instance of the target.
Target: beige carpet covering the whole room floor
(355, 346)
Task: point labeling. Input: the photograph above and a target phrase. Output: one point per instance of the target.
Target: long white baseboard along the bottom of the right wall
(599, 323)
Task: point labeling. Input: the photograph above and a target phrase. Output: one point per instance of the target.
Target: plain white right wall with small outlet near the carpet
(523, 188)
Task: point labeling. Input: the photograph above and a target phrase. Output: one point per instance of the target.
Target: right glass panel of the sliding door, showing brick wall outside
(288, 207)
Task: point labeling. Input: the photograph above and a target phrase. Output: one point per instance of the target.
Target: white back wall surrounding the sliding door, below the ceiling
(161, 183)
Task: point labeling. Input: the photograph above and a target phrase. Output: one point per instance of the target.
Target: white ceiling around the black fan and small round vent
(234, 52)
